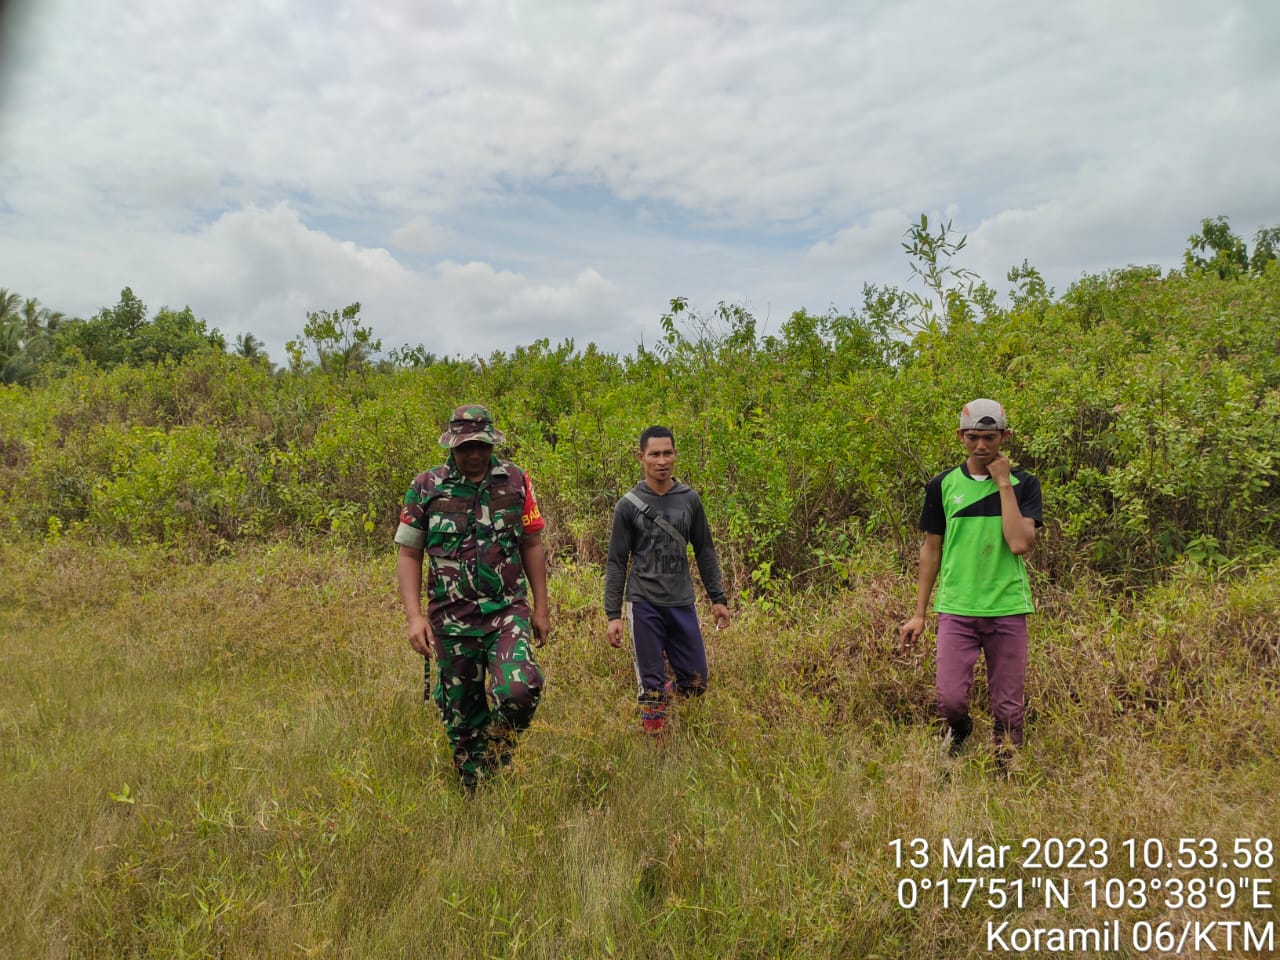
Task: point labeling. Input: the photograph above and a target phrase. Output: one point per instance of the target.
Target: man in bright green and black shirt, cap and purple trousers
(980, 519)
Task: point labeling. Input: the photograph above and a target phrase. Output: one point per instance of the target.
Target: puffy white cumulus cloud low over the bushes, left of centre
(263, 271)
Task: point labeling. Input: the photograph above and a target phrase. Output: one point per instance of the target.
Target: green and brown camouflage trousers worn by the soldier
(476, 669)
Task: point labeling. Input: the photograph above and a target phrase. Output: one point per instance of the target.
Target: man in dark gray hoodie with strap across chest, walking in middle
(653, 525)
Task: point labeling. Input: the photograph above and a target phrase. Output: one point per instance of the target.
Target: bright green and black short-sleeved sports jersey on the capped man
(980, 575)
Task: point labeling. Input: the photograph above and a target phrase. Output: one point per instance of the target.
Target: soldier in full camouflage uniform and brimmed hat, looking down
(478, 522)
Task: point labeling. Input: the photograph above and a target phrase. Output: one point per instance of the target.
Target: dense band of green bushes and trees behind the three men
(1149, 405)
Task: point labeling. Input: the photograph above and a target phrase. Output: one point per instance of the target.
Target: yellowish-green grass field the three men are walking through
(234, 760)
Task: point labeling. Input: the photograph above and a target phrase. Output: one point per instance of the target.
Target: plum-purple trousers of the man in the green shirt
(1003, 641)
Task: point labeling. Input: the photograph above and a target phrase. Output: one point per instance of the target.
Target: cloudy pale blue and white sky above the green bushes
(479, 175)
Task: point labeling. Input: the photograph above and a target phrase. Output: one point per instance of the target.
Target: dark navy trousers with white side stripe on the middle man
(662, 636)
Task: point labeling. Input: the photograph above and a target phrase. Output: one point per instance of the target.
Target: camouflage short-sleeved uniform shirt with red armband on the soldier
(472, 534)
